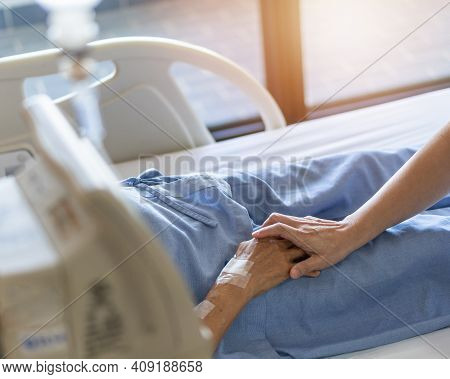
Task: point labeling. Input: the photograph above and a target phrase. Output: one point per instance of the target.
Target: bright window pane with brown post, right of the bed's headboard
(353, 53)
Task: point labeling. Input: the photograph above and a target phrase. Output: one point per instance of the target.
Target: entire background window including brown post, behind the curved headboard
(316, 57)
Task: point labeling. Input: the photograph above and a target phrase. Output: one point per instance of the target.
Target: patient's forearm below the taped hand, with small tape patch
(221, 306)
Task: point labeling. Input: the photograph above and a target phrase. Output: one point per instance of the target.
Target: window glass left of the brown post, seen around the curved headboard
(230, 28)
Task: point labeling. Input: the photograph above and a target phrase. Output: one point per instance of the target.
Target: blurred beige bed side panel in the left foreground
(80, 275)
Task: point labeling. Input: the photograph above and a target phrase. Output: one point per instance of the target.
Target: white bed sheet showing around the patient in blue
(407, 122)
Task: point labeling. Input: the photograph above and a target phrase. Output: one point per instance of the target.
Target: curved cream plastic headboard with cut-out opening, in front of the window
(144, 111)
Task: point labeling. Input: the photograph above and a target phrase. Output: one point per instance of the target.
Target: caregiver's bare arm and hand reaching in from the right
(401, 197)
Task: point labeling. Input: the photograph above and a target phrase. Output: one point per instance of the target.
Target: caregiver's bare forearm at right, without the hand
(421, 182)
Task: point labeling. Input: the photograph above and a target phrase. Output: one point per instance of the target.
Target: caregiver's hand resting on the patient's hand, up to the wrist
(326, 242)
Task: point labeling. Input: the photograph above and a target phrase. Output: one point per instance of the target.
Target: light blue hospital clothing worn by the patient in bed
(393, 288)
